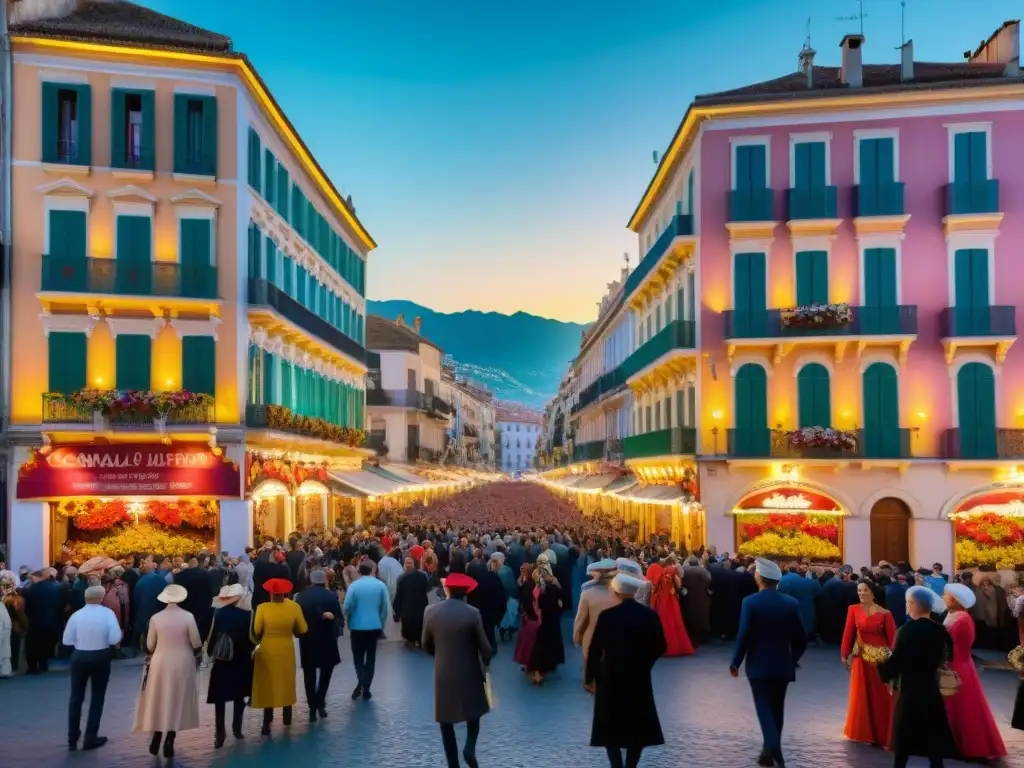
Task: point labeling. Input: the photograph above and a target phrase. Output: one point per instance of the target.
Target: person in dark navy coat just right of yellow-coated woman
(319, 648)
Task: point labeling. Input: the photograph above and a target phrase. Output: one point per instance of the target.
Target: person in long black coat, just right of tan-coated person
(627, 643)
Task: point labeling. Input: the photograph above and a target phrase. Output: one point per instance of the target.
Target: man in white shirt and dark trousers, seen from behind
(92, 631)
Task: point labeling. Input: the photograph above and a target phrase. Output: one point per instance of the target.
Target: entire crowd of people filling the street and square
(525, 560)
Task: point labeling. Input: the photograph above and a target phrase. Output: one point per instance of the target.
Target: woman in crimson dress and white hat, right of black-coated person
(974, 729)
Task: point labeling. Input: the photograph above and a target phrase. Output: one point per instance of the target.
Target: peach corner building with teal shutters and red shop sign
(188, 294)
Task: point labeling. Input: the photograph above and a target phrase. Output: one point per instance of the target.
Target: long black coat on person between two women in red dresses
(920, 726)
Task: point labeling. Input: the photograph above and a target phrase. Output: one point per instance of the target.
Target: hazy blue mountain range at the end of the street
(520, 357)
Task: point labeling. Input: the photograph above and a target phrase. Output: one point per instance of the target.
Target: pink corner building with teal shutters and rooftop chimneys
(849, 237)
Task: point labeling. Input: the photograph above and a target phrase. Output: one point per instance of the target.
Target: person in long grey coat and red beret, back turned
(453, 634)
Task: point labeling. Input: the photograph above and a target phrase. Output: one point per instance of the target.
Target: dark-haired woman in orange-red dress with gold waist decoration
(868, 643)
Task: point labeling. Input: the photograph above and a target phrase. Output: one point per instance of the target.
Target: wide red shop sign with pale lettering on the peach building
(129, 471)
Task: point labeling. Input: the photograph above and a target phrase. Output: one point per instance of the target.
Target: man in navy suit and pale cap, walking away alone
(772, 641)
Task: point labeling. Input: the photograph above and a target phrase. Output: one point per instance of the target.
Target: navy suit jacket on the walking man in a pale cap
(772, 636)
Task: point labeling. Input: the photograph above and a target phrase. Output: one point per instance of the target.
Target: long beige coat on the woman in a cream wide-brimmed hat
(169, 699)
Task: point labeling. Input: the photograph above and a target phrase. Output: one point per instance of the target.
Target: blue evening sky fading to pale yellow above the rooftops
(496, 150)
